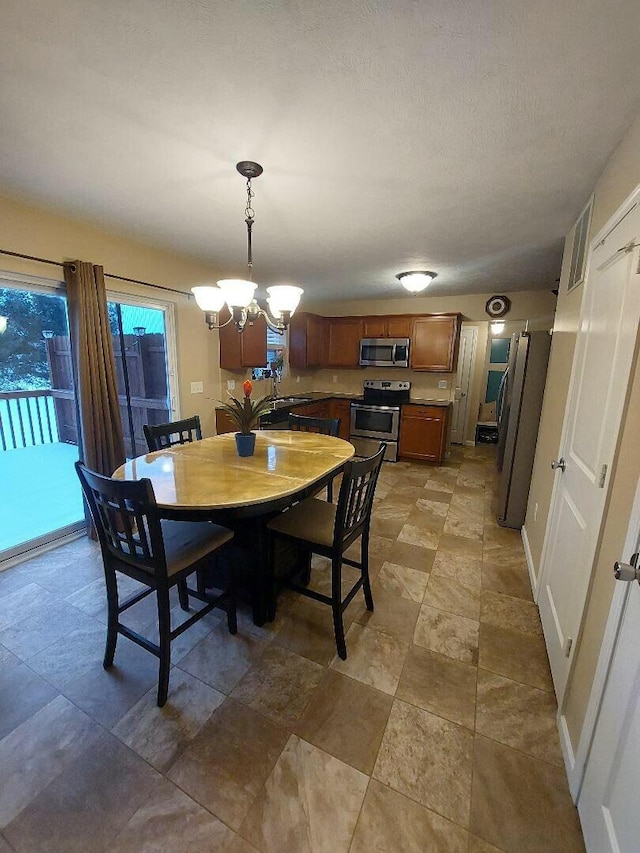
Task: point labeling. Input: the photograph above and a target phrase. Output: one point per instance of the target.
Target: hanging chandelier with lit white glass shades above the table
(239, 294)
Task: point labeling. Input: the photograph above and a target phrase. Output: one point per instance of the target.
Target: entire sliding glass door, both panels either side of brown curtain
(40, 498)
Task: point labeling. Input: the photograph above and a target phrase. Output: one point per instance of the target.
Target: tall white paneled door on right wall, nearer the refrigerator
(602, 363)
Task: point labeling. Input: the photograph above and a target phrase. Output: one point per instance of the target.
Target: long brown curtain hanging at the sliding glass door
(100, 428)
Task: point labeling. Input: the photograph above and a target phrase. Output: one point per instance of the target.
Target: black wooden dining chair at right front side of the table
(327, 529)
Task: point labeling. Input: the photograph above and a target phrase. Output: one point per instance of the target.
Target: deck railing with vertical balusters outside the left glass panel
(27, 418)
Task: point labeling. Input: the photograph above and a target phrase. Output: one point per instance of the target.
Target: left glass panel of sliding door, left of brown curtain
(40, 498)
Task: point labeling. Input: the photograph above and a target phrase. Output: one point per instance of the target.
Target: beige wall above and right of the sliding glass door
(34, 231)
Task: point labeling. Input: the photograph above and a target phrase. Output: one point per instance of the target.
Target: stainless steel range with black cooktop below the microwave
(377, 417)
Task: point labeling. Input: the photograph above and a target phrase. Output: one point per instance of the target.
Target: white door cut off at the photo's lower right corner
(608, 801)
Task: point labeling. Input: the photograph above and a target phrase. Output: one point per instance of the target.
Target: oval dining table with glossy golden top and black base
(207, 479)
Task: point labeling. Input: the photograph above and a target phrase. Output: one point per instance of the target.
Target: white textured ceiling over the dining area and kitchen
(462, 137)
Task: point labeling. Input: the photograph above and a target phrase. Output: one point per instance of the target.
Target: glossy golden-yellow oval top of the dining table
(209, 474)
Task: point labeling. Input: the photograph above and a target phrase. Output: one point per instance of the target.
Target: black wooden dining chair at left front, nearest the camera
(158, 553)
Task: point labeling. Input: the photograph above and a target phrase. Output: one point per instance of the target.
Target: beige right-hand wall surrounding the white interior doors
(617, 182)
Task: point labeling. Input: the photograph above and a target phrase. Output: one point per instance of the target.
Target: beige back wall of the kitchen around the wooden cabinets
(535, 308)
